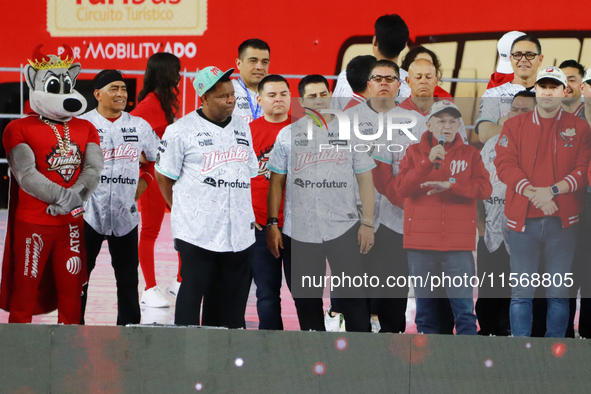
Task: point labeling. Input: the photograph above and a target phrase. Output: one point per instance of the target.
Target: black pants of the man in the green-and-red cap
(220, 279)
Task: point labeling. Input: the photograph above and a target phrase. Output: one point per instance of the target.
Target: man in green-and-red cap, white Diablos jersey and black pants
(204, 166)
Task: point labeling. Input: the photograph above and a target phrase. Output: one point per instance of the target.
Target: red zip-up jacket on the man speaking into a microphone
(444, 221)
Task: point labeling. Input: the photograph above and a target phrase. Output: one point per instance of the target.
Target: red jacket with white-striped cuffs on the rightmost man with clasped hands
(517, 154)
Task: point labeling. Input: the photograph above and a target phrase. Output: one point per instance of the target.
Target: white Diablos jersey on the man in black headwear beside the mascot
(112, 210)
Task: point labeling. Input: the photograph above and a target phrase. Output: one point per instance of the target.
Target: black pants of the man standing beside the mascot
(124, 259)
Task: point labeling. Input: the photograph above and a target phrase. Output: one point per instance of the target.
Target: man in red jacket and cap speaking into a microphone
(440, 216)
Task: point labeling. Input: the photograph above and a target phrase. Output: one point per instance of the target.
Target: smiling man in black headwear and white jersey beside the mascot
(111, 211)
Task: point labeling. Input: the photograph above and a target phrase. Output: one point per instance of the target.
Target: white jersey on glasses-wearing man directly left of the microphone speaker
(392, 152)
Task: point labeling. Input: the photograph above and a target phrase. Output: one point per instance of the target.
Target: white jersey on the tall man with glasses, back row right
(496, 102)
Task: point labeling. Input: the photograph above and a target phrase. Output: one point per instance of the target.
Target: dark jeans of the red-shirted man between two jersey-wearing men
(266, 271)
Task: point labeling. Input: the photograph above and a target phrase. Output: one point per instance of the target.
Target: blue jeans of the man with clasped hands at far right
(541, 236)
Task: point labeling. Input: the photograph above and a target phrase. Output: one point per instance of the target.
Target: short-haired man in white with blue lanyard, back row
(253, 65)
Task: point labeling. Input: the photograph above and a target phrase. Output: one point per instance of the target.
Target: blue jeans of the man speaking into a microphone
(436, 263)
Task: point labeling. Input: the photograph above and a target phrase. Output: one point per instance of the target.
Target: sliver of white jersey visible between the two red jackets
(496, 221)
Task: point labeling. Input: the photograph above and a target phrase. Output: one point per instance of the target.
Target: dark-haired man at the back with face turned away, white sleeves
(391, 35)
